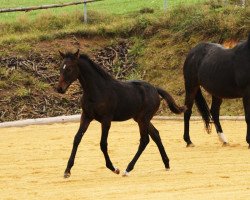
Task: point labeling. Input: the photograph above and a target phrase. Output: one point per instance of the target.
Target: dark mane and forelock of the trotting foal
(95, 66)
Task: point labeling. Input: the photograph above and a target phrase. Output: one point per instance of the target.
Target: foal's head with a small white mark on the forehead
(69, 71)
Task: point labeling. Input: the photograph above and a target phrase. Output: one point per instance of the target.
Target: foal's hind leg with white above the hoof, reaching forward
(144, 140)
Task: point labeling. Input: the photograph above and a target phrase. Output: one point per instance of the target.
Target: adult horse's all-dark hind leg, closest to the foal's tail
(189, 102)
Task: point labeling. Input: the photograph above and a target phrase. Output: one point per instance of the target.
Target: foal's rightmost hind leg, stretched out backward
(154, 134)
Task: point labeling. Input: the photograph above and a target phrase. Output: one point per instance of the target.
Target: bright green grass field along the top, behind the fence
(106, 6)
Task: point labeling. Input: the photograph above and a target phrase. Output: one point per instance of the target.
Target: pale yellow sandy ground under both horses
(33, 159)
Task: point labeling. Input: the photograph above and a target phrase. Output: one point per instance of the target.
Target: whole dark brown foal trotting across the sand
(106, 99)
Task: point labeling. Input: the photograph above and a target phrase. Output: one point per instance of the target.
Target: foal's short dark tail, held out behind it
(171, 102)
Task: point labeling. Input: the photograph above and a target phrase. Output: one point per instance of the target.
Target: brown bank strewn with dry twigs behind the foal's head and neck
(28, 82)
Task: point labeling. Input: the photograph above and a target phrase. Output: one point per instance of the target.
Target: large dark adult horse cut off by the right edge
(224, 73)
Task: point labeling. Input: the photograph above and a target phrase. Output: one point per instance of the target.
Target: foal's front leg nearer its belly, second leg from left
(104, 146)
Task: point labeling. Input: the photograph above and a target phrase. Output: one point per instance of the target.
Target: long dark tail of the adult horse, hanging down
(204, 110)
